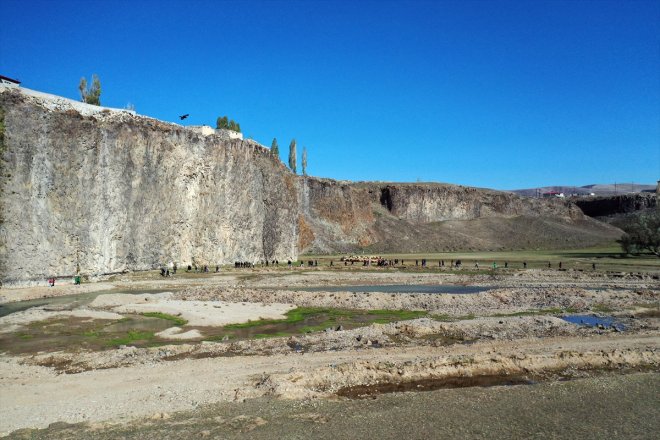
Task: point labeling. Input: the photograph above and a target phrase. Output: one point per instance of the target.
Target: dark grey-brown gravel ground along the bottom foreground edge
(609, 406)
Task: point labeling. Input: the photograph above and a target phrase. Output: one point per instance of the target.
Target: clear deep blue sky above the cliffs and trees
(499, 94)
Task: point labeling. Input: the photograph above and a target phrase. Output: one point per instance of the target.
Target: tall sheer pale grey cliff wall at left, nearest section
(113, 192)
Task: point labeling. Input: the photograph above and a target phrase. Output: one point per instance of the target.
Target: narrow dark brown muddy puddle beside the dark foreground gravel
(366, 391)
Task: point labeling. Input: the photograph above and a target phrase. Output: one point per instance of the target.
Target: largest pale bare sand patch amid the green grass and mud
(210, 313)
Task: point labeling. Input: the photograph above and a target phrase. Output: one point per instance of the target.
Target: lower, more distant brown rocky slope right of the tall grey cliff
(407, 217)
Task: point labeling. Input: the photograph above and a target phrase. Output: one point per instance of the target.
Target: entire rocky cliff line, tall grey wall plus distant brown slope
(107, 191)
